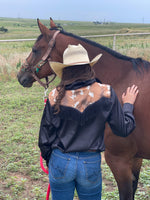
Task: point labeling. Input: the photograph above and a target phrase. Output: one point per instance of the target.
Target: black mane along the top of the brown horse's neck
(138, 63)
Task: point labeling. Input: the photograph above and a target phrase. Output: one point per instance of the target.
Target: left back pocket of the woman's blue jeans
(58, 166)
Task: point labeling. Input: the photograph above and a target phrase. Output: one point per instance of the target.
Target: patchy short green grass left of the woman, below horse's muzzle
(21, 110)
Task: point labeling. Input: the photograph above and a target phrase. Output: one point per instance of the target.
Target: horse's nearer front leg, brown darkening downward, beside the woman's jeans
(121, 168)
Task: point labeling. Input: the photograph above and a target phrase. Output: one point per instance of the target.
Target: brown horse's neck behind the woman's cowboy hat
(109, 69)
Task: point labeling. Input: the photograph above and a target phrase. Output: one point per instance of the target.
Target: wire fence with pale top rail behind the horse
(14, 51)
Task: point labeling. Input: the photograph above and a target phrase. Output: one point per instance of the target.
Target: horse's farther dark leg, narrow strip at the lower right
(136, 167)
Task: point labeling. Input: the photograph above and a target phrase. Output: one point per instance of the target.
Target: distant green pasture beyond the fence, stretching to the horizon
(28, 28)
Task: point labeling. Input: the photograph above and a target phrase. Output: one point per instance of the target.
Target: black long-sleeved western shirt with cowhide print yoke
(80, 124)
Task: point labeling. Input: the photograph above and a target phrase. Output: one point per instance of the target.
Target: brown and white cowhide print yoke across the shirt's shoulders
(81, 98)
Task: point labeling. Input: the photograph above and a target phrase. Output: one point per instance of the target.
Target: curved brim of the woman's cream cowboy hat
(58, 67)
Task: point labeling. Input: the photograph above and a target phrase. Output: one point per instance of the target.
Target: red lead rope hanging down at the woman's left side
(41, 159)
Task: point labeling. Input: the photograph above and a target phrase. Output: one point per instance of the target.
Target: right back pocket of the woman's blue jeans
(93, 170)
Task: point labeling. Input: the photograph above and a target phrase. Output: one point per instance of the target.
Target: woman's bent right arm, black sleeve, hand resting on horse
(121, 119)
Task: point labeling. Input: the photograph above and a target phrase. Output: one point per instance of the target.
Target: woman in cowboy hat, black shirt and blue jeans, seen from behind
(71, 135)
